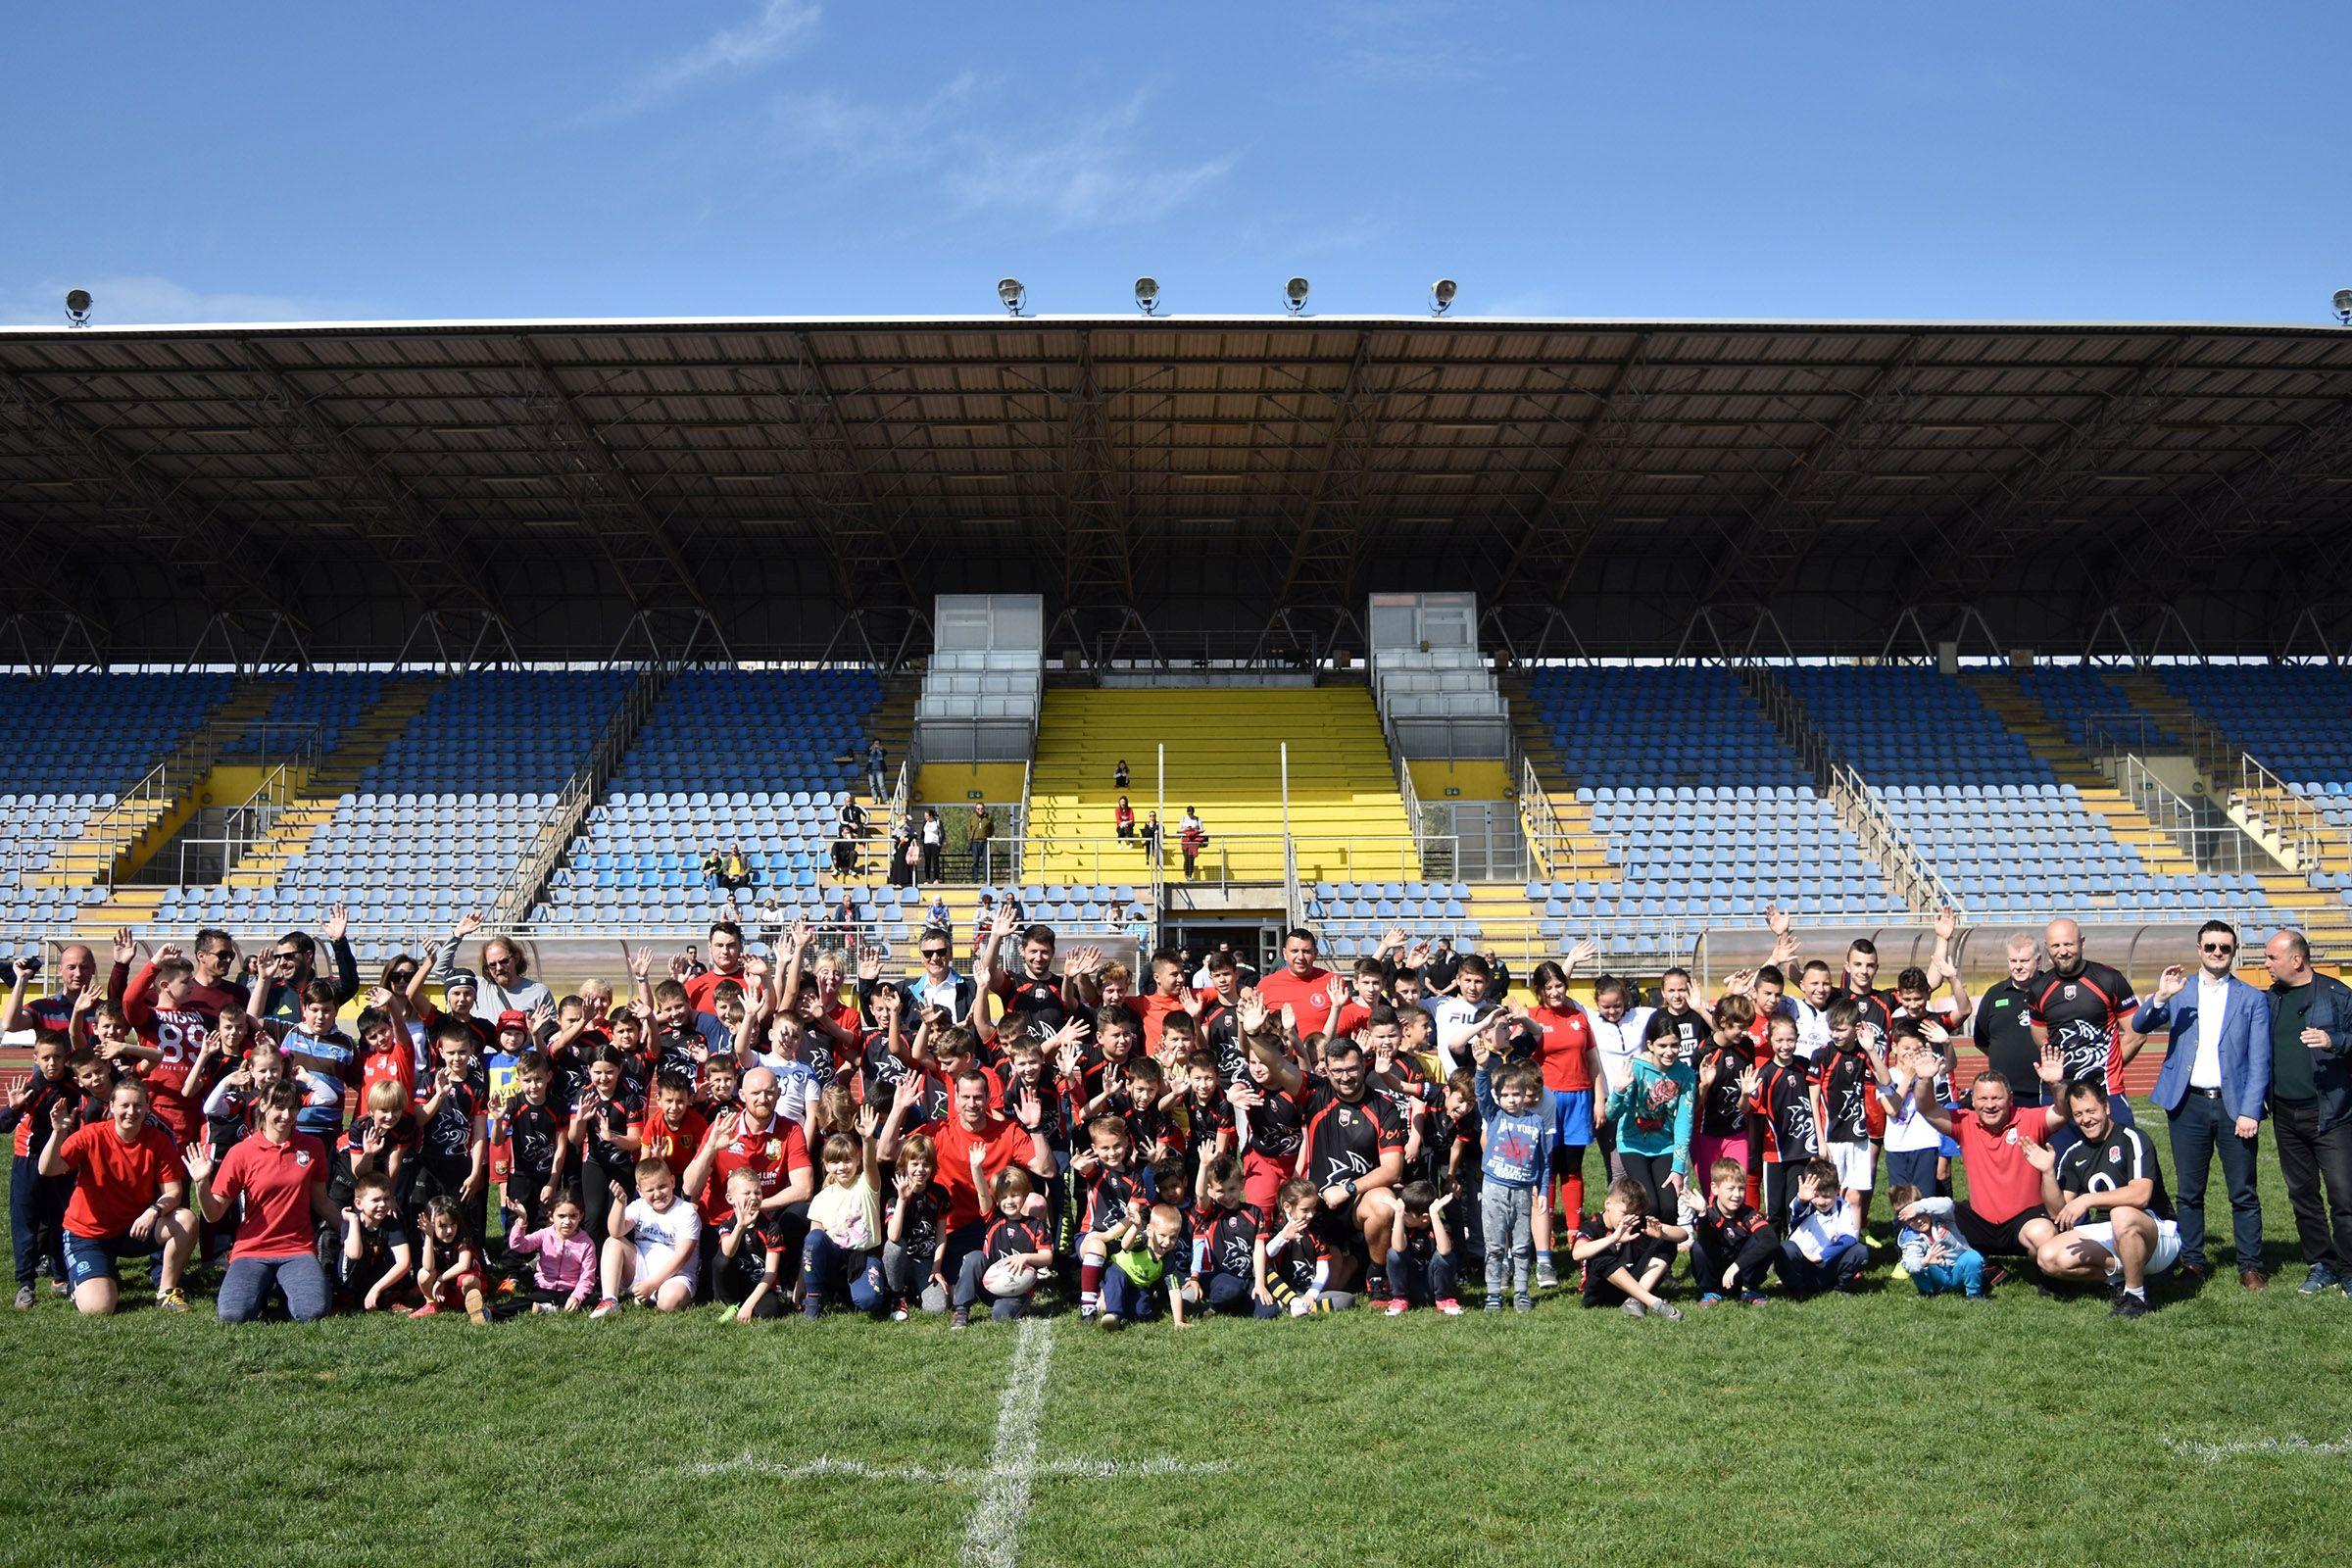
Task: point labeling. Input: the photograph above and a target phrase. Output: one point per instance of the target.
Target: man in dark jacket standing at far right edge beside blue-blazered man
(2311, 1106)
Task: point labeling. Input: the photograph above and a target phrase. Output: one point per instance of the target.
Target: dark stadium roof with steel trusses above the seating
(175, 483)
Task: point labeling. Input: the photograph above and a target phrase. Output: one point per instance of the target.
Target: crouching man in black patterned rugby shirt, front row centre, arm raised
(1354, 1146)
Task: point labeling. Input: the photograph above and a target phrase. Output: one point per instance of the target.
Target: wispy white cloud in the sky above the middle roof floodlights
(1085, 173)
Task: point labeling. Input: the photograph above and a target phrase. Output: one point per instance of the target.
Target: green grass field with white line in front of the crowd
(1850, 1428)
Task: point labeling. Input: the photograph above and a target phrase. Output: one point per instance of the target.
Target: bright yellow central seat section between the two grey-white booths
(1224, 760)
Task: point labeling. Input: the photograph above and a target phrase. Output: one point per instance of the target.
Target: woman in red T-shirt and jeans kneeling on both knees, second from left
(283, 1179)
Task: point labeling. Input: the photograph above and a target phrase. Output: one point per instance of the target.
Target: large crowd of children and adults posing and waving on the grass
(801, 1132)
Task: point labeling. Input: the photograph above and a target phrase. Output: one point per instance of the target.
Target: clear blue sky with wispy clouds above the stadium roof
(829, 159)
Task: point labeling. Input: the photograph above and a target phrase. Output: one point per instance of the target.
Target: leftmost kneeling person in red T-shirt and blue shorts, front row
(128, 1200)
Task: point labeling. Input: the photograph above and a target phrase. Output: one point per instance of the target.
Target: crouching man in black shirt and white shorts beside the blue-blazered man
(2111, 1170)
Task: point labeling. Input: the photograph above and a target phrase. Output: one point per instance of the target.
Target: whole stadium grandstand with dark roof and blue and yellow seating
(1175, 631)
